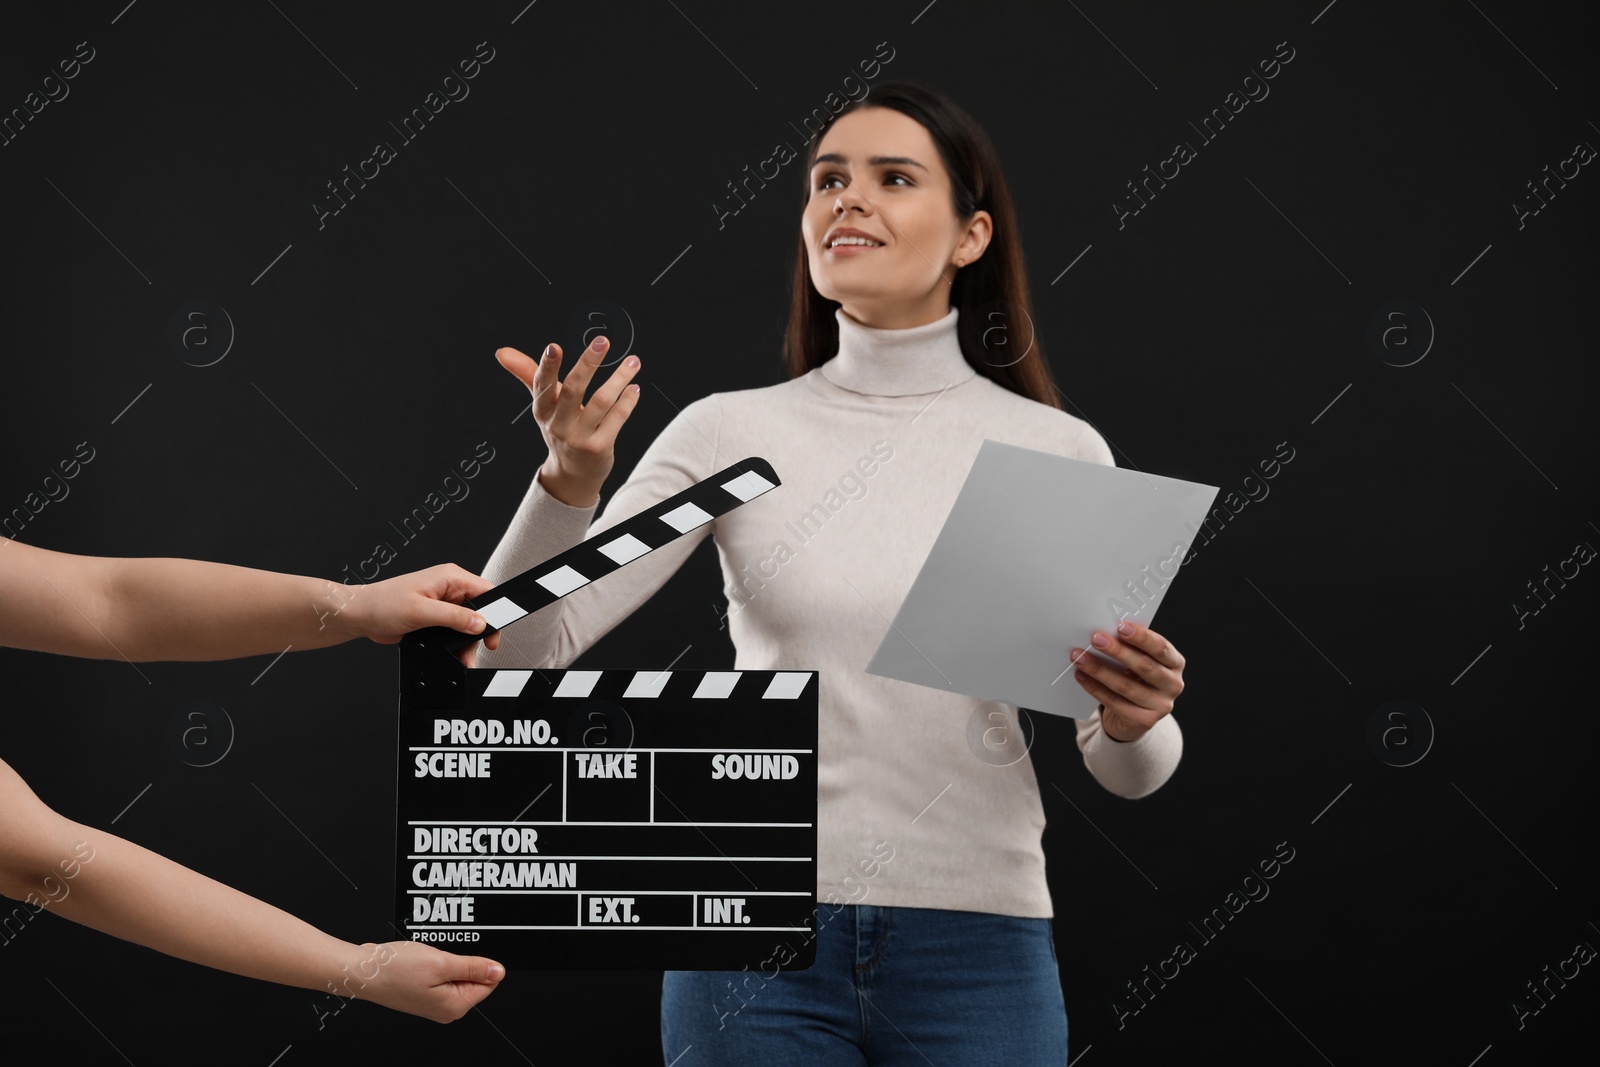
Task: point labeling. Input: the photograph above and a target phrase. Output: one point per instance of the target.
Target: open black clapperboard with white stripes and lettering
(606, 820)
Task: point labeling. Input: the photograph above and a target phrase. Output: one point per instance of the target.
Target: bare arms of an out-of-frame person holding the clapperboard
(158, 609)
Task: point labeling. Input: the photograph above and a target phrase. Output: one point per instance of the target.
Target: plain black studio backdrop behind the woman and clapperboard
(1225, 319)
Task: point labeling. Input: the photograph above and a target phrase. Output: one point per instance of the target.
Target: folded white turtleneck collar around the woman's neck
(897, 362)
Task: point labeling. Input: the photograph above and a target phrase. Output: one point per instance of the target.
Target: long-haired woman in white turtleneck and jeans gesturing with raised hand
(938, 943)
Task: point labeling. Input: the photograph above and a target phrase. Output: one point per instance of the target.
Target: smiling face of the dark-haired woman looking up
(879, 172)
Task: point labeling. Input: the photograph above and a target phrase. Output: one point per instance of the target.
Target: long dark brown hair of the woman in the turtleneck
(996, 322)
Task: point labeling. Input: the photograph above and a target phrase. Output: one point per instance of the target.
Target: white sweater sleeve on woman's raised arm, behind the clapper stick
(684, 454)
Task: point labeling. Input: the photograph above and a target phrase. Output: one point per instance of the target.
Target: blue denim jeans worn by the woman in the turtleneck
(890, 986)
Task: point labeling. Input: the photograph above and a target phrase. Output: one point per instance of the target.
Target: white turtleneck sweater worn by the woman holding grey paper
(873, 449)
